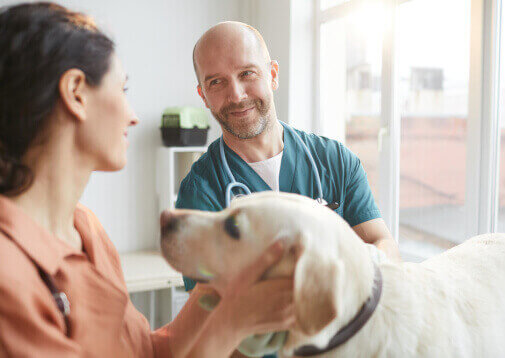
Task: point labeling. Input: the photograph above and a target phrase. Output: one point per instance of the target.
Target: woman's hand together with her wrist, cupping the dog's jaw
(247, 306)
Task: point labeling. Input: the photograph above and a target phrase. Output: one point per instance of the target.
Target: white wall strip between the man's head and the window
(287, 27)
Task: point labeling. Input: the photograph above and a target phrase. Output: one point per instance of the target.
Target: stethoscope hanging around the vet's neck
(235, 184)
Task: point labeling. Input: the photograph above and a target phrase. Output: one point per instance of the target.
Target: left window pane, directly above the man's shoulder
(350, 84)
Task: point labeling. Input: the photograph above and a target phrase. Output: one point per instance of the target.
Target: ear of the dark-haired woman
(72, 88)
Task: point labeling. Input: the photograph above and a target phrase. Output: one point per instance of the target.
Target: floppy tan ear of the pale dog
(317, 290)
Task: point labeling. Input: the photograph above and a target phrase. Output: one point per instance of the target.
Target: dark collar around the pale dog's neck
(350, 329)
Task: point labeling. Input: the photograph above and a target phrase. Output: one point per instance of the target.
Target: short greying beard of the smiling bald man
(237, 127)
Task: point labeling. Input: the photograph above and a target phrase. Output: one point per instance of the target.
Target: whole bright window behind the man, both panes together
(430, 77)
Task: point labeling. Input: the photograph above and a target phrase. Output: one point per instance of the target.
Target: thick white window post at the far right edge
(483, 126)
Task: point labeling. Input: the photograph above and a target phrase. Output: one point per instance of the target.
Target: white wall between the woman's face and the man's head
(154, 40)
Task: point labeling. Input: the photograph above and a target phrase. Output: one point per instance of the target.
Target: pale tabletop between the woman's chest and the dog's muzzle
(148, 271)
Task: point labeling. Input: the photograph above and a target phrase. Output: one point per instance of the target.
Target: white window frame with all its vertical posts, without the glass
(482, 145)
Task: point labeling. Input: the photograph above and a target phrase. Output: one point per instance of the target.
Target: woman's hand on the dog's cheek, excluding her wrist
(250, 306)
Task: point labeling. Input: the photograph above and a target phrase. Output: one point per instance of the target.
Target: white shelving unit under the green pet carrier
(172, 165)
